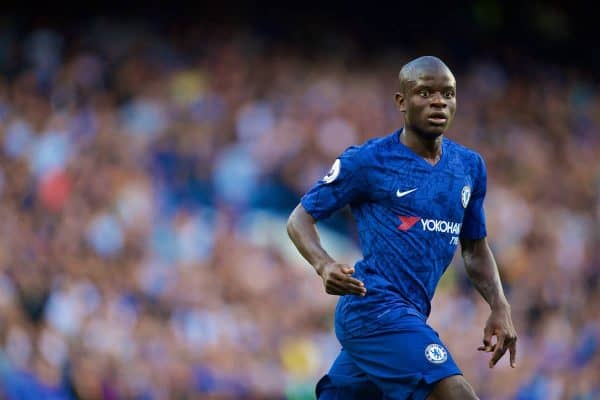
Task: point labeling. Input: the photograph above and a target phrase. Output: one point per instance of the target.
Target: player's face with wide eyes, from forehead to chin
(428, 102)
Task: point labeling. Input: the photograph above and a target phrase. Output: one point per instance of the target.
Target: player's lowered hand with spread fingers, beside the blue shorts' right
(500, 324)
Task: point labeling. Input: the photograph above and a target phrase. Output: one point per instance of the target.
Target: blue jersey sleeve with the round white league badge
(344, 183)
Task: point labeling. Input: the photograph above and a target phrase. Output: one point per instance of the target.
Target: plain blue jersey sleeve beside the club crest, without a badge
(474, 219)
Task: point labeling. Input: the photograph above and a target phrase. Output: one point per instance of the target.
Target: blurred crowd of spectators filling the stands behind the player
(145, 181)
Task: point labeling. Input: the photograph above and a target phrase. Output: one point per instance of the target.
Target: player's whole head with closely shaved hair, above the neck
(427, 96)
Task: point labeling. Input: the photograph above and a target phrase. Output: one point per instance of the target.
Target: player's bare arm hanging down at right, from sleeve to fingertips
(483, 273)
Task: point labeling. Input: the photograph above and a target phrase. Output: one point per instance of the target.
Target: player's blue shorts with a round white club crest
(400, 363)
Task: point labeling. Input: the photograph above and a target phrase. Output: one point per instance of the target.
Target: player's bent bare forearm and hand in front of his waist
(337, 278)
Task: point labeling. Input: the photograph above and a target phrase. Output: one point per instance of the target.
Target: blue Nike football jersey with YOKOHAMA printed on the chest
(410, 216)
